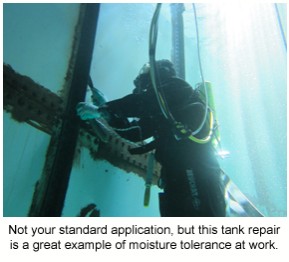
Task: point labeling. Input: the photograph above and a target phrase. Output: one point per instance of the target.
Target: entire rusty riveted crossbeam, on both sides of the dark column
(30, 102)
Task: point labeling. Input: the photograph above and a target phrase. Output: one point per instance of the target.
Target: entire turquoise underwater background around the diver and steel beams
(243, 50)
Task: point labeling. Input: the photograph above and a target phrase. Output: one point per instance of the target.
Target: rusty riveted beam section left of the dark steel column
(30, 102)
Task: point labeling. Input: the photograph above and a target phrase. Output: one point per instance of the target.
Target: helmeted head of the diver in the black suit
(165, 69)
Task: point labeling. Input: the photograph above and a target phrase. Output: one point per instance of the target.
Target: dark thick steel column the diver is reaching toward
(50, 192)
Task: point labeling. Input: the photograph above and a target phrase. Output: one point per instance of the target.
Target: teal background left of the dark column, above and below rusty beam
(37, 41)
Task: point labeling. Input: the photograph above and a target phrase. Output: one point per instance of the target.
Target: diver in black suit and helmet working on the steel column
(190, 173)
